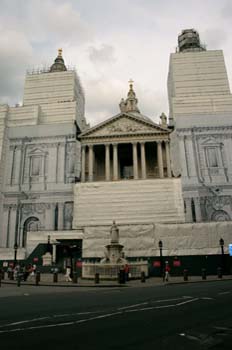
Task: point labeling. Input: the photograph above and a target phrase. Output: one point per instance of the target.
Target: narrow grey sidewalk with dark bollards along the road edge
(47, 280)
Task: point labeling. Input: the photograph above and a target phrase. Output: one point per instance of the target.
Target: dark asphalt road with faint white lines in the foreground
(192, 316)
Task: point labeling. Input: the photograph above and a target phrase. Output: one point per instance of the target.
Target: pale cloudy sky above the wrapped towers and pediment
(109, 42)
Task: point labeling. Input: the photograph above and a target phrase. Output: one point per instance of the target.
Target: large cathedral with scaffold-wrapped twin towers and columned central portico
(64, 182)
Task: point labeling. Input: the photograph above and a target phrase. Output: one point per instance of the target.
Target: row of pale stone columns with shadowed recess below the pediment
(117, 160)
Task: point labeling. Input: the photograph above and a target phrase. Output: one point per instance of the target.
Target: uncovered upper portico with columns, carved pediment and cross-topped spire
(126, 146)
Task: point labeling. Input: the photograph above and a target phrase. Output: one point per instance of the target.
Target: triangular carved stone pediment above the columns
(122, 124)
